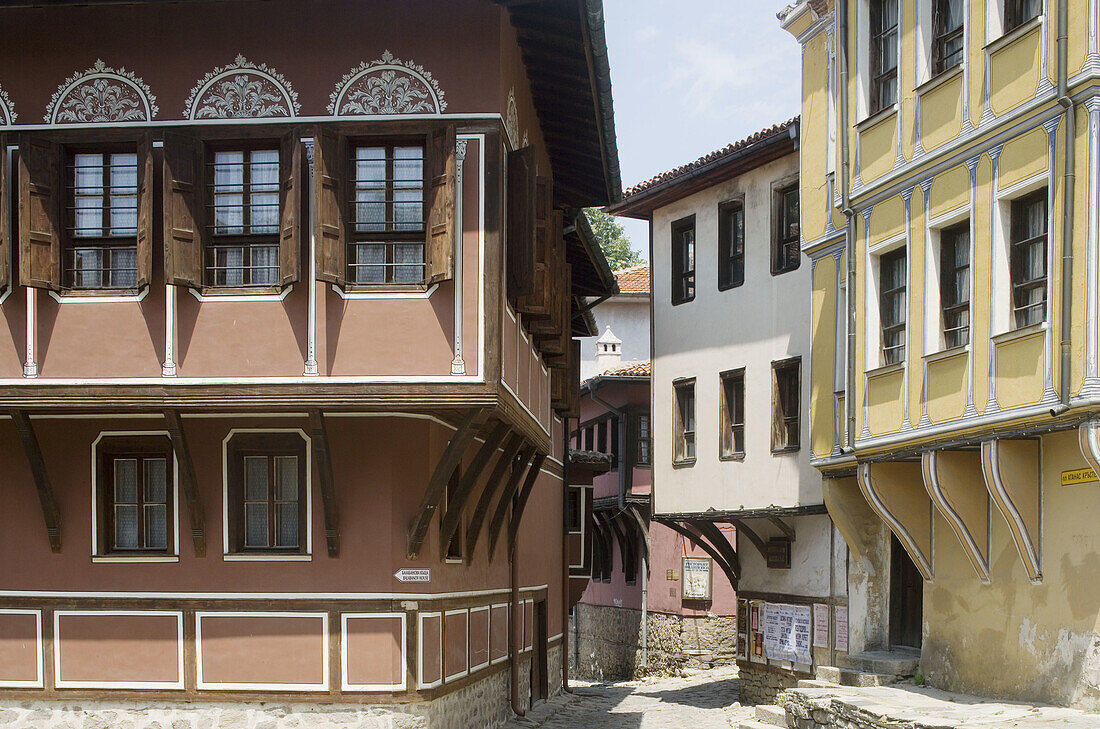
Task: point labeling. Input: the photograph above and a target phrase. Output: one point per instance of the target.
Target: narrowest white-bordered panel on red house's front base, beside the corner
(373, 651)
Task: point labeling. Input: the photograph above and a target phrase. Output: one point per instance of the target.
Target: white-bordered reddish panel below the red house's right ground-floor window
(263, 651)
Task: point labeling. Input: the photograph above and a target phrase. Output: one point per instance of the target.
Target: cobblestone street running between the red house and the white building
(700, 702)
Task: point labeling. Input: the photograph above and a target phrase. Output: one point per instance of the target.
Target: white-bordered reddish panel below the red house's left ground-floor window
(119, 649)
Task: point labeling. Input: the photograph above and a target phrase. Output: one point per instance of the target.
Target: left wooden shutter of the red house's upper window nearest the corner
(329, 203)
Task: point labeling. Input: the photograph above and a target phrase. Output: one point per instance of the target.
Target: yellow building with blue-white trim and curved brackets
(951, 213)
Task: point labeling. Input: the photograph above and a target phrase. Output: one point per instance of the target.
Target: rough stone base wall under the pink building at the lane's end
(609, 645)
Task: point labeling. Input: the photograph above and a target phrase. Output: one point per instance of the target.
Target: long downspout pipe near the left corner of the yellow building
(850, 238)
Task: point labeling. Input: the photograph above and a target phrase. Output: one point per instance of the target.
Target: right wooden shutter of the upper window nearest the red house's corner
(443, 227)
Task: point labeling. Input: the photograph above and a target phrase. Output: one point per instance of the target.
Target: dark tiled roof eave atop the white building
(734, 160)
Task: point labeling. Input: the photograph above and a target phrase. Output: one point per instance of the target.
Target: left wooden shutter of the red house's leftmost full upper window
(40, 244)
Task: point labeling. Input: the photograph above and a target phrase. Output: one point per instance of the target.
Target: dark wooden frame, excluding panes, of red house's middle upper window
(247, 241)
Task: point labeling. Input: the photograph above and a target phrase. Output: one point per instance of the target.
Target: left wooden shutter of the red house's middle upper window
(183, 209)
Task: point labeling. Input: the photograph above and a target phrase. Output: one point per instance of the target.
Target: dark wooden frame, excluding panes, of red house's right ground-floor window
(271, 445)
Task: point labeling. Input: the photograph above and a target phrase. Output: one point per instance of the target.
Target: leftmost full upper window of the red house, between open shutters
(102, 250)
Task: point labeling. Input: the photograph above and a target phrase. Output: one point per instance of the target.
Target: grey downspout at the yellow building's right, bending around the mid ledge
(1070, 182)
